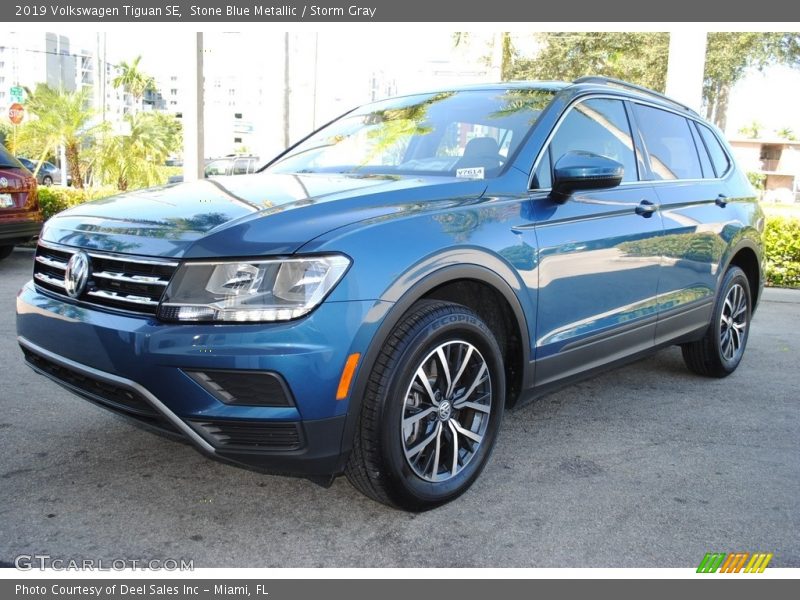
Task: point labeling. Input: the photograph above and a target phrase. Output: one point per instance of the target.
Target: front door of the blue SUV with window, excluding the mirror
(596, 294)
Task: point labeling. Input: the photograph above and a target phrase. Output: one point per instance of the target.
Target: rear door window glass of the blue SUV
(669, 143)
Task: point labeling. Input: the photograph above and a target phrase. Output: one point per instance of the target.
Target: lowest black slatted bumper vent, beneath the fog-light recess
(249, 435)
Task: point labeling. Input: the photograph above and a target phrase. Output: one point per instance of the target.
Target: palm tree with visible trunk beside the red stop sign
(60, 118)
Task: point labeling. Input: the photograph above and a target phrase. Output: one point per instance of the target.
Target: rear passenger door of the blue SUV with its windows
(693, 195)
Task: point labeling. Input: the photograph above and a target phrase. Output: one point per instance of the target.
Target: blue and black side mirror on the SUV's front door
(576, 171)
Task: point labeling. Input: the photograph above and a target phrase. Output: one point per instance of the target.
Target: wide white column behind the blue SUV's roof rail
(686, 67)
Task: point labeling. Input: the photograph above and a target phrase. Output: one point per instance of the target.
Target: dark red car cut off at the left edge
(20, 216)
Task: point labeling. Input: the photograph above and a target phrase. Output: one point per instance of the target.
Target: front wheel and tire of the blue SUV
(431, 411)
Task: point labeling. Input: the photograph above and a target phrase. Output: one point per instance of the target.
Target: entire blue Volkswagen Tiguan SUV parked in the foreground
(370, 302)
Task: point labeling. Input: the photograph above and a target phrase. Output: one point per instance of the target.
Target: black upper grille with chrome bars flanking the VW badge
(118, 281)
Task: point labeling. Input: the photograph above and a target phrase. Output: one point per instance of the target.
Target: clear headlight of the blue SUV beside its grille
(252, 290)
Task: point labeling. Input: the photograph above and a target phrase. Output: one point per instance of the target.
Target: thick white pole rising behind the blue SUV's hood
(193, 128)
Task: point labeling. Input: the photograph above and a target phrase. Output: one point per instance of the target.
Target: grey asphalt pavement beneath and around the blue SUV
(646, 466)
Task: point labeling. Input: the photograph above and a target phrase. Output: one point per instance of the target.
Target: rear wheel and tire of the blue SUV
(720, 350)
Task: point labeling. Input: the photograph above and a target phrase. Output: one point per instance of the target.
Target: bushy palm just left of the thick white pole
(134, 160)
